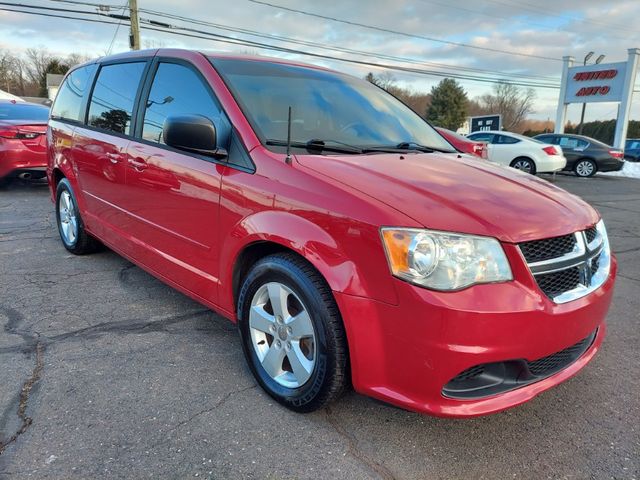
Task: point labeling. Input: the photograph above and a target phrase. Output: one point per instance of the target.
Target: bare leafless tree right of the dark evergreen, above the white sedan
(510, 101)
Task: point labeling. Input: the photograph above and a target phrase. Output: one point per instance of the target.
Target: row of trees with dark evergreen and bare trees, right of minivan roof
(448, 105)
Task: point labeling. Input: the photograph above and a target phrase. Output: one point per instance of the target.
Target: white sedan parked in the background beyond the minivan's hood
(518, 151)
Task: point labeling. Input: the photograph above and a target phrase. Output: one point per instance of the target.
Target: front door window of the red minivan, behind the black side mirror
(178, 90)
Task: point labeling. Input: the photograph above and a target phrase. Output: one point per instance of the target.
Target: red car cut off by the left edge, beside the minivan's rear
(23, 150)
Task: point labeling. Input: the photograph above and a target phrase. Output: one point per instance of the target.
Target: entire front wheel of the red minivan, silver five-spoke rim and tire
(292, 334)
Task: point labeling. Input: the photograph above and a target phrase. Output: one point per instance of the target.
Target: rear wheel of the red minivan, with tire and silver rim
(70, 226)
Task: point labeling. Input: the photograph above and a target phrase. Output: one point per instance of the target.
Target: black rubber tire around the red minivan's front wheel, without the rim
(330, 374)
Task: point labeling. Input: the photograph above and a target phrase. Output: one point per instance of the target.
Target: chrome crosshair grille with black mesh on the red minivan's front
(570, 266)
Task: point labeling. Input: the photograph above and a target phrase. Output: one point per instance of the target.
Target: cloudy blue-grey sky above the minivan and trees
(522, 40)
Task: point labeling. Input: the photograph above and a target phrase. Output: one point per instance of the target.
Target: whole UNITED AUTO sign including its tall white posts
(610, 82)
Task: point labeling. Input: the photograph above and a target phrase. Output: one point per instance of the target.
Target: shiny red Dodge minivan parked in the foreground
(345, 237)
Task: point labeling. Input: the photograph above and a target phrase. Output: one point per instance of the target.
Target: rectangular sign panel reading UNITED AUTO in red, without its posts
(596, 83)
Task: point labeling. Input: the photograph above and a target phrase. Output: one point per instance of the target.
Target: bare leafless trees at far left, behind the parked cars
(26, 74)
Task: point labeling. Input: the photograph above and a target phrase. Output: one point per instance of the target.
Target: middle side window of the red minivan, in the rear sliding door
(113, 96)
